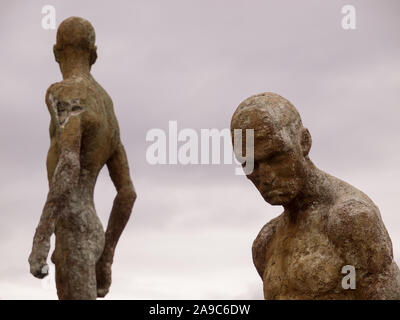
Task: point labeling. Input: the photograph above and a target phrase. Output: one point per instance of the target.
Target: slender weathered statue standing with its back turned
(84, 136)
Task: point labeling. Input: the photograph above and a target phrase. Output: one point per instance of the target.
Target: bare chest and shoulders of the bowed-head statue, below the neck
(303, 258)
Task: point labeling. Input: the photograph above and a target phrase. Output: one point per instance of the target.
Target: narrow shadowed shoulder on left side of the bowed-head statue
(260, 244)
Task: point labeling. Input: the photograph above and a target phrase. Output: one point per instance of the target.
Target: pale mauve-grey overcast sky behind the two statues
(192, 227)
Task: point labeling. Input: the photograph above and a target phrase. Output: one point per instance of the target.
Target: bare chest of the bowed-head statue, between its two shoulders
(301, 262)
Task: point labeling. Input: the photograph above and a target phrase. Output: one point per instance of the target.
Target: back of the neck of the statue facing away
(74, 63)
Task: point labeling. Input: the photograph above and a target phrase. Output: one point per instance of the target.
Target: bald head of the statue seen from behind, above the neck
(76, 34)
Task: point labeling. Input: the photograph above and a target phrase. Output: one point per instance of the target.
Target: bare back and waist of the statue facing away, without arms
(78, 228)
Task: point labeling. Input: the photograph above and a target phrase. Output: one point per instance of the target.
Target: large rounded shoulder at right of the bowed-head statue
(357, 229)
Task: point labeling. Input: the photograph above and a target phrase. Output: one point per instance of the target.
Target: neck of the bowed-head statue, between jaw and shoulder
(315, 190)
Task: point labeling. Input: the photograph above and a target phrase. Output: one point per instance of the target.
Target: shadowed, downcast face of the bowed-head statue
(278, 161)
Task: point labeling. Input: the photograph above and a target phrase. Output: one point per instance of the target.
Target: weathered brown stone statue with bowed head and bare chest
(326, 224)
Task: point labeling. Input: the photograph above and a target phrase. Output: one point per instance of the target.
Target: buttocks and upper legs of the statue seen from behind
(79, 244)
